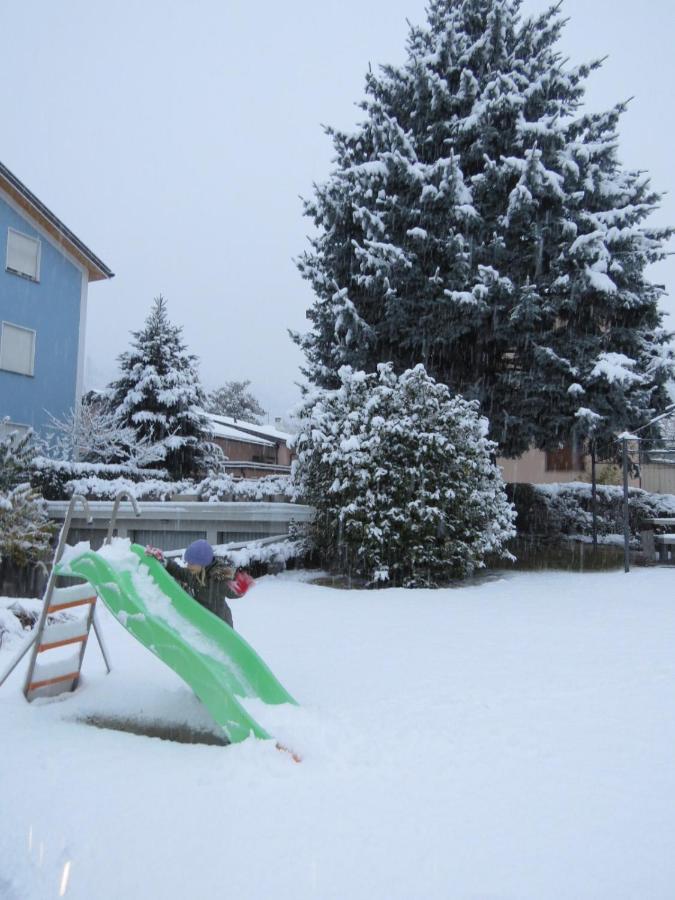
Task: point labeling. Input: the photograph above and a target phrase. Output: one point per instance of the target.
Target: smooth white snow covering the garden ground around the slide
(508, 740)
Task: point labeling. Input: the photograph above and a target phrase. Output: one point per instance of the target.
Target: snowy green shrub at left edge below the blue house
(25, 530)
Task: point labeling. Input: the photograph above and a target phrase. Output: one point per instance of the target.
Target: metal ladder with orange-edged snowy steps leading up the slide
(50, 679)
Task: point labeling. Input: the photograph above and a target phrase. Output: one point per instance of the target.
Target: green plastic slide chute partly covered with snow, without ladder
(209, 656)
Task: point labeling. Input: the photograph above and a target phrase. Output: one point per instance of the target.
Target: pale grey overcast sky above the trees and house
(175, 139)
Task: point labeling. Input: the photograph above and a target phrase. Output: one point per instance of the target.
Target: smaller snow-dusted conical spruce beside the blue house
(159, 395)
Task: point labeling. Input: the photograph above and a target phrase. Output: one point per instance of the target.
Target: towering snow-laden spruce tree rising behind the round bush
(480, 222)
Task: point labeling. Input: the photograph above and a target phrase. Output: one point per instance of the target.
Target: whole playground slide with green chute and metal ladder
(216, 662)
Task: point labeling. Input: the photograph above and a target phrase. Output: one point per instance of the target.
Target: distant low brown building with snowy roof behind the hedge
(252, 450)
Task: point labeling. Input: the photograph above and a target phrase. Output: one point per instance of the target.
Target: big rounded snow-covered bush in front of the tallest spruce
(402, 477)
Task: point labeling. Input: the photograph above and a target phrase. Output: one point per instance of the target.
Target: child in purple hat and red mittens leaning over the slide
(207, 579)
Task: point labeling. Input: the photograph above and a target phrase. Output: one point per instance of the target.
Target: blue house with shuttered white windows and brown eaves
(45, 272)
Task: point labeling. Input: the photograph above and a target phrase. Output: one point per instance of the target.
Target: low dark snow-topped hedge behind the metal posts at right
(552, 511)
